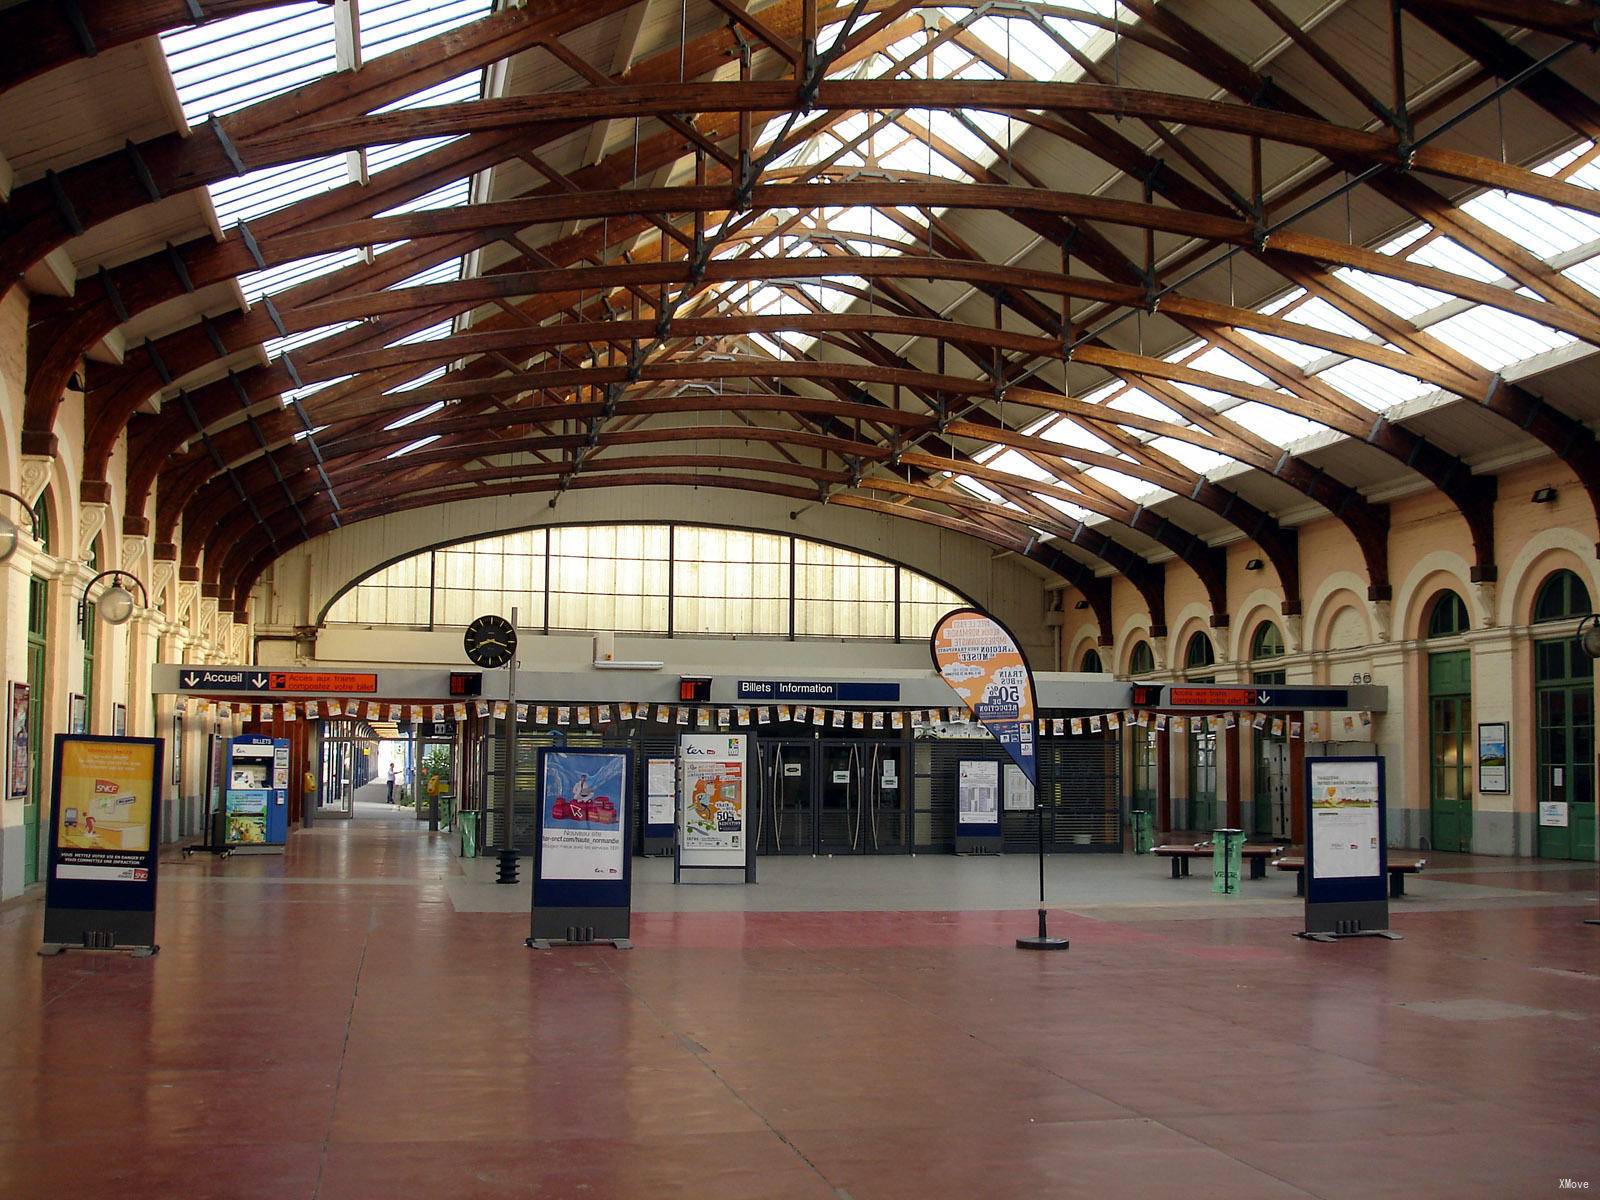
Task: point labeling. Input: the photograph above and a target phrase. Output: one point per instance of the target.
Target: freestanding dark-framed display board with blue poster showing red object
(582, 868)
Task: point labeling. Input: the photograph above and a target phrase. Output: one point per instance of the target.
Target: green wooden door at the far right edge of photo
(1566, 734)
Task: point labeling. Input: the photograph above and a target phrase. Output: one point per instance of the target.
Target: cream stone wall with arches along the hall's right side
(1343, 638)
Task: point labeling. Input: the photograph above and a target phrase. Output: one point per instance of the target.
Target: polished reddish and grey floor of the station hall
(356, 1022)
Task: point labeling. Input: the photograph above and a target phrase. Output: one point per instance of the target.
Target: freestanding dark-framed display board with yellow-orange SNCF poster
(100, 884)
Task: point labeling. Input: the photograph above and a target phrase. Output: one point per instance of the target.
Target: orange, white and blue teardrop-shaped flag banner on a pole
(982, 662)
